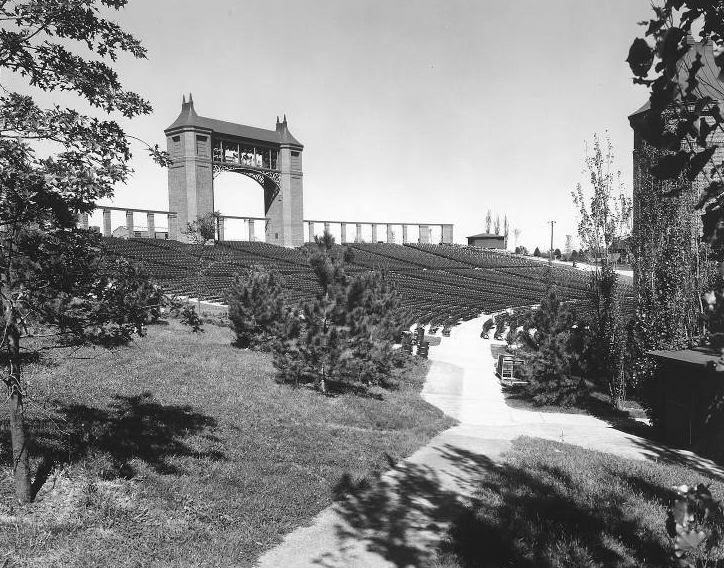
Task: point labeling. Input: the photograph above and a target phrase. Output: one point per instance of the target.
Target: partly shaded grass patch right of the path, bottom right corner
(557, 505)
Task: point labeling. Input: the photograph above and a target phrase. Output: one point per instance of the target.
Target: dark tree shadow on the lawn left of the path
(132, 427)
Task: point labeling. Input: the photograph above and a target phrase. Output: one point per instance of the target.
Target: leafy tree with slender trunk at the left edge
(55, 282)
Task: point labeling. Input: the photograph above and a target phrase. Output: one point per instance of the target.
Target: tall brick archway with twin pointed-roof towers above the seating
(201, 148)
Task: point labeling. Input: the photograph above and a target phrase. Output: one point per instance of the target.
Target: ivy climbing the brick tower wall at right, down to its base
(673, 269)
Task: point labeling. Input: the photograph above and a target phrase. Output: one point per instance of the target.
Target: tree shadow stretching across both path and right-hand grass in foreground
(517, 518)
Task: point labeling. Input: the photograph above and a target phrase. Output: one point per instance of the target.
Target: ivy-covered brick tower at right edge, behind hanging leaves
(671, 264)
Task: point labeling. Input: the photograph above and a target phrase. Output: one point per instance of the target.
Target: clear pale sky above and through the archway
(429, 110)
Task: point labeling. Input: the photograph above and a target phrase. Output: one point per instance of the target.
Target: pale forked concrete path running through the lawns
(401, 520)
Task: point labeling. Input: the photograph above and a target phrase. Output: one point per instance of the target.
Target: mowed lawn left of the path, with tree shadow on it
(182, 450)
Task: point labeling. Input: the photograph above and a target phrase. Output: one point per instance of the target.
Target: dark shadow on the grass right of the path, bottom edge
(535, 519)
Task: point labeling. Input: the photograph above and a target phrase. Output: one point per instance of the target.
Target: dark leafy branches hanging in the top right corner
(683, 121)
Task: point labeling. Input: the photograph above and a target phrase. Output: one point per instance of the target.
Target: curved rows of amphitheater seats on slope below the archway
(440, 285)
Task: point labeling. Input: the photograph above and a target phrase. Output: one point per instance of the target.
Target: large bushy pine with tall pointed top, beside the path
(342, 339)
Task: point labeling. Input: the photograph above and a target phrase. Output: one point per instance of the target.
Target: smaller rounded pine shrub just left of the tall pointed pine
(256, 307)
